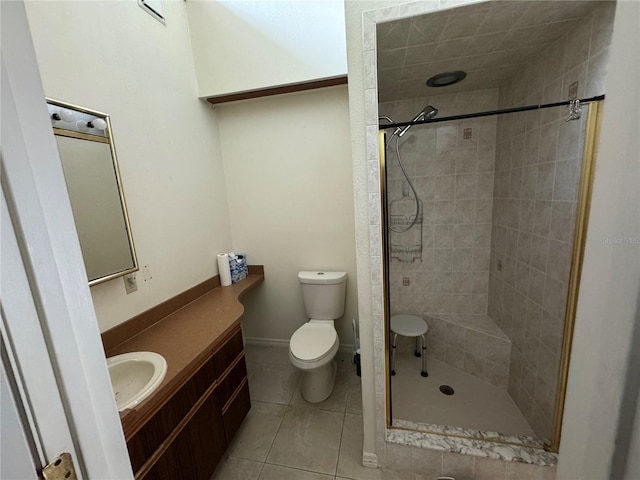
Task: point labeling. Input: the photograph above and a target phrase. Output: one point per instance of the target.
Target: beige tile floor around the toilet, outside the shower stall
(284, 437)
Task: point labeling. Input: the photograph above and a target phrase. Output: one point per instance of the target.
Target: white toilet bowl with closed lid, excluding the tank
(312, 349)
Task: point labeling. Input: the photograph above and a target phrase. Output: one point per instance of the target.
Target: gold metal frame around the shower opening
(582, 219)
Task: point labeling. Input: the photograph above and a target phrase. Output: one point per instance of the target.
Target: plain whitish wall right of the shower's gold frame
(600, 374)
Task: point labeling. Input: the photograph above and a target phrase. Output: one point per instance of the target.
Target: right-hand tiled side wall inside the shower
(538, 160)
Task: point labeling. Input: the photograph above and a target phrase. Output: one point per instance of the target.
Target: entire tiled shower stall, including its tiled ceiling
(484, 197)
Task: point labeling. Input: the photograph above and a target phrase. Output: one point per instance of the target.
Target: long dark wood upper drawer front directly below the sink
(144, 443)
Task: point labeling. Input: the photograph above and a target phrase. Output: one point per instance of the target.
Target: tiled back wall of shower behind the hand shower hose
(451, 166)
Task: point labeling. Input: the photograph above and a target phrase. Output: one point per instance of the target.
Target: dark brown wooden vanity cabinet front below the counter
(187, 437)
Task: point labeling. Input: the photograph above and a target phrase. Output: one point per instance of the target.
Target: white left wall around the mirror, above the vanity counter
(115, 58)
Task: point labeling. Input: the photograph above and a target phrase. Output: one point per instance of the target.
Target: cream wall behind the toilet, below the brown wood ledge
(287, 163)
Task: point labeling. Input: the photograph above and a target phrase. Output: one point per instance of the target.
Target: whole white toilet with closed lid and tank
(314, 345)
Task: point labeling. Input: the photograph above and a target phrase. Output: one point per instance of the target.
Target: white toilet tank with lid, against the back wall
(323, 294)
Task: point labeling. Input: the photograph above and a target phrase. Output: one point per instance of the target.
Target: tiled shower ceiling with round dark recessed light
(490, 41)
